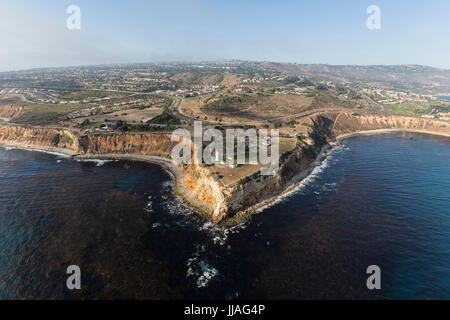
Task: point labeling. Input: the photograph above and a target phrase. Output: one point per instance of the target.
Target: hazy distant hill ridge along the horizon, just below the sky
(416, 78)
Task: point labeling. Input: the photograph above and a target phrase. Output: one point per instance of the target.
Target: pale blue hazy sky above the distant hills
(34, 33)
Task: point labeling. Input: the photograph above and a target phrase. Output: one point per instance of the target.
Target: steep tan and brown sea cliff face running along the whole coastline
(196, 183)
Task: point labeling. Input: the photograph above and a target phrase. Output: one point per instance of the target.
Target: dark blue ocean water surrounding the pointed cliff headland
(383, 200)
